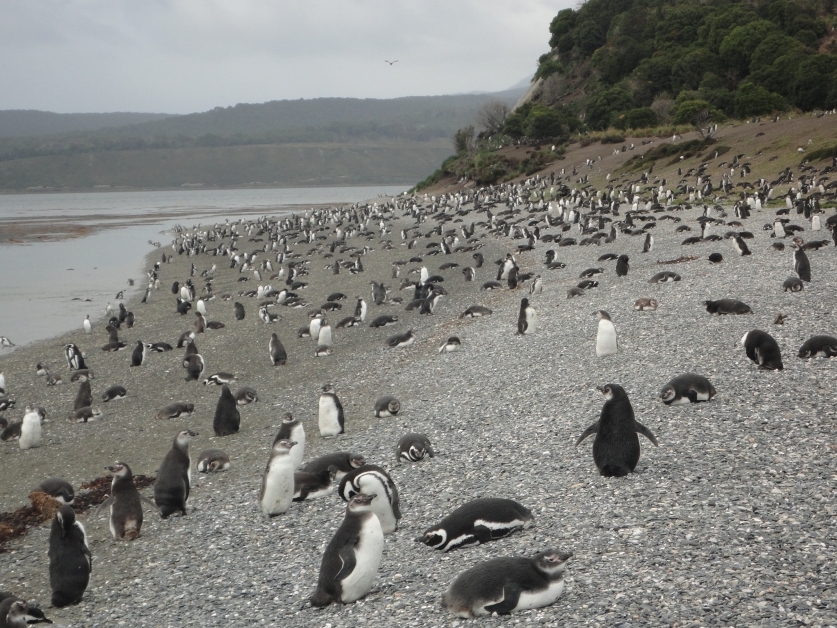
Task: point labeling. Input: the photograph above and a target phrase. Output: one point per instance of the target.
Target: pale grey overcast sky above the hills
(181, 56)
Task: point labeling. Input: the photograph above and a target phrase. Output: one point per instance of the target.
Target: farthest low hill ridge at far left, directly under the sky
(28, 123)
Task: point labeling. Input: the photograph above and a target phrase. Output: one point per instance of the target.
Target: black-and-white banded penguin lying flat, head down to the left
(479, 521)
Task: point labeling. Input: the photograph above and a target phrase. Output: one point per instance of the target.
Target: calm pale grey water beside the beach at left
(38, 282)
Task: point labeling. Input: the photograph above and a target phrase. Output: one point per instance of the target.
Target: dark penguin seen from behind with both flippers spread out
(616, 447)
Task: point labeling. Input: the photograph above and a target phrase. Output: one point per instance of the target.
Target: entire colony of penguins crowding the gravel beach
(352, 558)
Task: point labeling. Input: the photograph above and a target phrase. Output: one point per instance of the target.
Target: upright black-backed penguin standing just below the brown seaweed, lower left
(70, 560)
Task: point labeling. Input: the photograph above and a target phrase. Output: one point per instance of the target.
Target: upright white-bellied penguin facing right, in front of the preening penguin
(351, 559)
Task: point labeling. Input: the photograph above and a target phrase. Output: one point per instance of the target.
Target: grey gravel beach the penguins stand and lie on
(730, 522)
